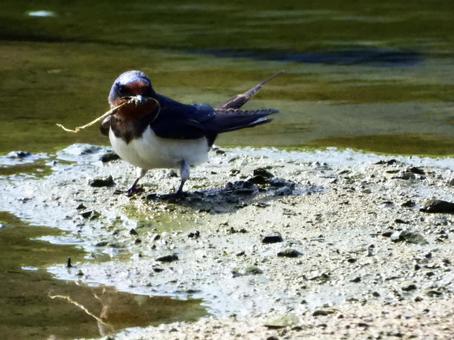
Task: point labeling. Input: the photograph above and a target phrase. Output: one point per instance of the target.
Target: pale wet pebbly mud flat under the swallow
(276, 244)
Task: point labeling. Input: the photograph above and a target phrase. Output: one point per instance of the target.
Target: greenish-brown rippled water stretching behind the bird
(373, 76)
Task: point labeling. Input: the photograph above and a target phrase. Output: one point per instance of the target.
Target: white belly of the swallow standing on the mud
(151, 151)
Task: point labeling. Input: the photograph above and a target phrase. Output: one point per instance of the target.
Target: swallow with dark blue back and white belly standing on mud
(154, 131)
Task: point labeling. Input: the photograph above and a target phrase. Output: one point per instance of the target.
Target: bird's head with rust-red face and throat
(135, 87)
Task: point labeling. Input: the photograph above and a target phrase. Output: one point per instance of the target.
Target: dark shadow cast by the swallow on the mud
(258, 190)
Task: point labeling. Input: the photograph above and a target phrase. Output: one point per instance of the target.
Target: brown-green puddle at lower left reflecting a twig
(76, 310)
